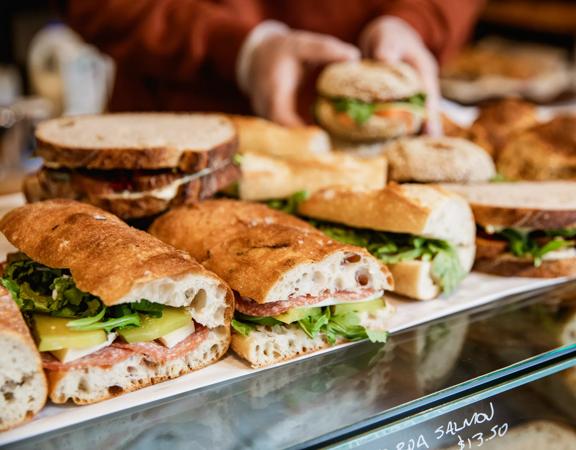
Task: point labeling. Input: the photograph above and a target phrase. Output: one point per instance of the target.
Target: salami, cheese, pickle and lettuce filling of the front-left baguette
(70, 324)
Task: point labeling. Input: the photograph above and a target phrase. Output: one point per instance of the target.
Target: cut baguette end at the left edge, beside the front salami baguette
(22, 381)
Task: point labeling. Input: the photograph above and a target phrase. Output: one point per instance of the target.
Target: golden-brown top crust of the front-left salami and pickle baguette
(105, 256)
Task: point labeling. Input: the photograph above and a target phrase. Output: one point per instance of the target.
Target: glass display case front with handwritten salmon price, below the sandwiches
(487, 377)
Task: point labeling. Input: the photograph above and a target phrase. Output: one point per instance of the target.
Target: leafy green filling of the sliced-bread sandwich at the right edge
(535, 245)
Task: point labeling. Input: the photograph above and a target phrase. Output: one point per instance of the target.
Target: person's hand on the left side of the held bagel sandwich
(277, 65)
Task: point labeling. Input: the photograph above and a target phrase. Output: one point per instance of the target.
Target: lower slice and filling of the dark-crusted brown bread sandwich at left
(186, 188)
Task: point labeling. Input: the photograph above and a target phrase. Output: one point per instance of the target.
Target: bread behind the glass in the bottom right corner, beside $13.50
(533, 435)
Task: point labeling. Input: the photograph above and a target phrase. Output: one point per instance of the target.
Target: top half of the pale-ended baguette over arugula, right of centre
(425, 210)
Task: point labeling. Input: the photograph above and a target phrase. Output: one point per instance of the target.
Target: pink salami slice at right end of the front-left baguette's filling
(158, 353)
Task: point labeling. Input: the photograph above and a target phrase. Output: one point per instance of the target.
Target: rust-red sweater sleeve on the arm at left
(166, 39)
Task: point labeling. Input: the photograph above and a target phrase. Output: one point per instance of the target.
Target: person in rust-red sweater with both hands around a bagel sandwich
(201, 54)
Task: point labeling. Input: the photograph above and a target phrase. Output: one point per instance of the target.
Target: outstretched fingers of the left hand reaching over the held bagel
(322, 49)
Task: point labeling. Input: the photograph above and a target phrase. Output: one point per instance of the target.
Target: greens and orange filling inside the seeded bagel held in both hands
(358, 112)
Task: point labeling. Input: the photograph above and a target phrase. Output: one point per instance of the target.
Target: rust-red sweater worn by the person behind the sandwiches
(181, 54)
